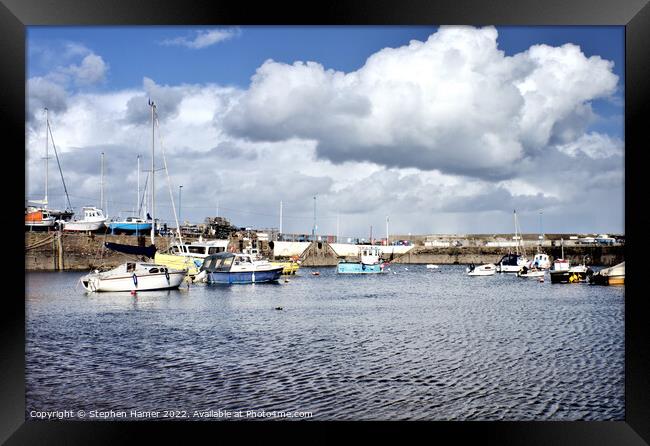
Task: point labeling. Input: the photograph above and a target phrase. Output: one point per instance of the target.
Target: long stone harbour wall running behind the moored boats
(71, 251)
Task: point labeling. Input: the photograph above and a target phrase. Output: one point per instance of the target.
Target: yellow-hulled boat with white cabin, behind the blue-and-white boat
(190, 255)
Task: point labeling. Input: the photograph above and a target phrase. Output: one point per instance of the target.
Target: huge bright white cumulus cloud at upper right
(455, 103)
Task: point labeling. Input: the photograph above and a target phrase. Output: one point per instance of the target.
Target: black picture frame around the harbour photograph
(15, 15)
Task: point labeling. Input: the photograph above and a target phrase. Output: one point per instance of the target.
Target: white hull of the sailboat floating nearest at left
(149, 282)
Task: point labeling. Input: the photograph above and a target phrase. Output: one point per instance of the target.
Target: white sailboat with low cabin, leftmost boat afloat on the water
(134, 276)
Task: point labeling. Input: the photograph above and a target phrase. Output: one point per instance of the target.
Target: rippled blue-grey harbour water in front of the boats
(419, 345)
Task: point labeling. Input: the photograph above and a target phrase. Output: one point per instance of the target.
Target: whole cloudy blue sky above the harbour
(434, 129)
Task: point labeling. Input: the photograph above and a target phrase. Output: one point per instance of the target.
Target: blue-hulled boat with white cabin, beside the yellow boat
(235, 268)
